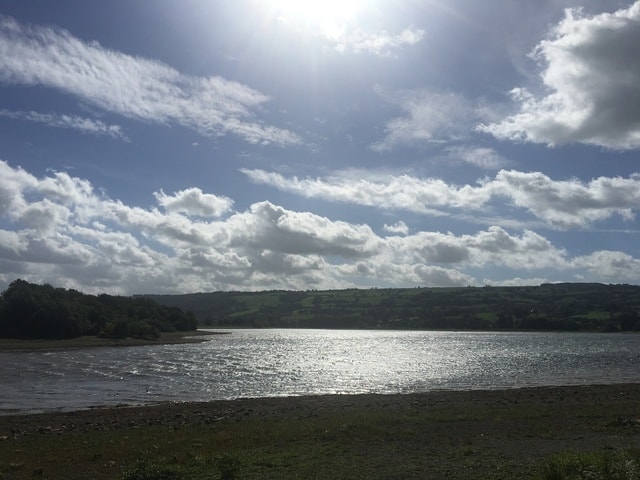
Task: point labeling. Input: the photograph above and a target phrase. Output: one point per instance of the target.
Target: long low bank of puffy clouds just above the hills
(59, 229)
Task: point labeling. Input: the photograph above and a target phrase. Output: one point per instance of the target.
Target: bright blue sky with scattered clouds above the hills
(160, 146)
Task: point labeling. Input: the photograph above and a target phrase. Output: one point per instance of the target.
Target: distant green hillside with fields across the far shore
(567, 306)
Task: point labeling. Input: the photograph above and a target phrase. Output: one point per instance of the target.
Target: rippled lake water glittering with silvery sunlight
(262, 363)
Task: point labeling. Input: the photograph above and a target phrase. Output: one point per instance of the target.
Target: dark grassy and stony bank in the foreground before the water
(456, 435)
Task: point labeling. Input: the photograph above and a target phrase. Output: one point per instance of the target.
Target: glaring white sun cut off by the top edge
(316, 11)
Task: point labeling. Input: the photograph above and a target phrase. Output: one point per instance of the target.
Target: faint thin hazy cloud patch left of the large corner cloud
(429, 116)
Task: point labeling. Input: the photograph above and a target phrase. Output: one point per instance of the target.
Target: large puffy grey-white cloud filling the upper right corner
(590, 83)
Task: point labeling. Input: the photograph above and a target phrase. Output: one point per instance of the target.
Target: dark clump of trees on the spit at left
(41, 311)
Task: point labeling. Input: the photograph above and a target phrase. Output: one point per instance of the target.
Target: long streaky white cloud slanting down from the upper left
(130, 86)
